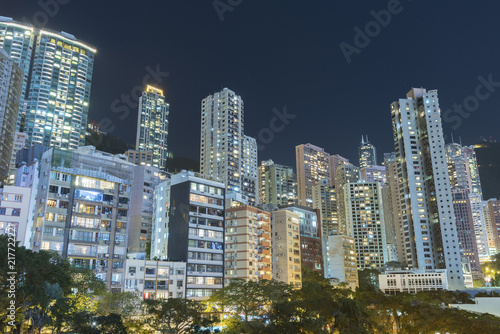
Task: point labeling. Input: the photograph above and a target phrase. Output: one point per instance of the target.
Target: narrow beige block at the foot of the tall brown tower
(325, 200)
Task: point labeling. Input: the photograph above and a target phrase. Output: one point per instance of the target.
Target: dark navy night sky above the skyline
(287, 53)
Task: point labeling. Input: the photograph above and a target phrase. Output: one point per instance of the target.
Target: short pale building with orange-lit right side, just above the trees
(340, 260)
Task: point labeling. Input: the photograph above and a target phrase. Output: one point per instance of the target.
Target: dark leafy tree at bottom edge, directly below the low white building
(174, 314)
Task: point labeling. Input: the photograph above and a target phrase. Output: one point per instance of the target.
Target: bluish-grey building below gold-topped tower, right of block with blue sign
(144, 181)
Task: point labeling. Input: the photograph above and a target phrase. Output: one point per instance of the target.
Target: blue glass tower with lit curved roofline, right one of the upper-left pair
(58, 98)
